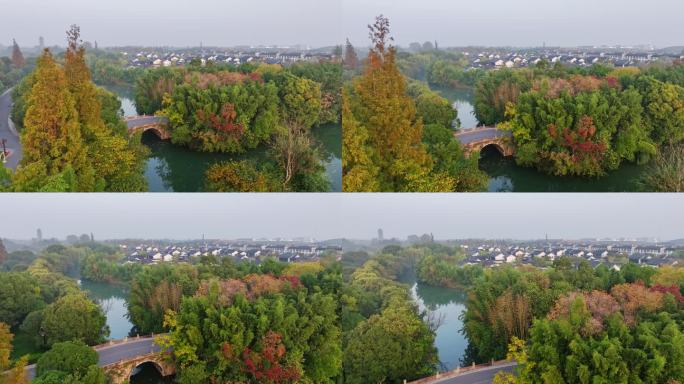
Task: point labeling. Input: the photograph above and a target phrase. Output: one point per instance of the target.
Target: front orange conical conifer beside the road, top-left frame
(51, 137)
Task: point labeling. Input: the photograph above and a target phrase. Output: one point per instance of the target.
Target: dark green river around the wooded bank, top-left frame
(172, 168)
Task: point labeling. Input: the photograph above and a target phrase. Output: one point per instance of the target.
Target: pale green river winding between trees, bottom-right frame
(448, 305)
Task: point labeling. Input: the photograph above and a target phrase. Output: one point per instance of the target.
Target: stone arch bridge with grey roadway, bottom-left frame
(119, 358)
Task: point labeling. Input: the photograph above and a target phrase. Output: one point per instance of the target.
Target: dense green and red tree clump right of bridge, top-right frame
(583, 121)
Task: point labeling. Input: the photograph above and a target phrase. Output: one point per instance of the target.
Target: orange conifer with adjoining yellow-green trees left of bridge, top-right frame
(397, 137)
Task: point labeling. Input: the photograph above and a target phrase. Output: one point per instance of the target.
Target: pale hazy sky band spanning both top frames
(327, 22)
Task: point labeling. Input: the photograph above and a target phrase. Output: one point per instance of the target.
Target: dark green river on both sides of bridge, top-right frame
(506, 176)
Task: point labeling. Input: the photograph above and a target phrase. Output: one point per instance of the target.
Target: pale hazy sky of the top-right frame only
(521, 22)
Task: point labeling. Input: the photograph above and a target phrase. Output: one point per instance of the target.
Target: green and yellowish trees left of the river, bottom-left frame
(43, 305)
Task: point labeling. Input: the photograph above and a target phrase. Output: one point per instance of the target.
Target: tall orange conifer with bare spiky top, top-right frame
(383, 107)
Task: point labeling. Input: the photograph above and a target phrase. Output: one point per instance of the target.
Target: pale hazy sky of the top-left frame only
(174, 22)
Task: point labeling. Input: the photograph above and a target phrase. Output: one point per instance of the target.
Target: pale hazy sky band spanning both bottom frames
(323, 216)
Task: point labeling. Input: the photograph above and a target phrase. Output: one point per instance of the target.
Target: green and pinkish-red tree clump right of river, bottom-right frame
(623, 332)
